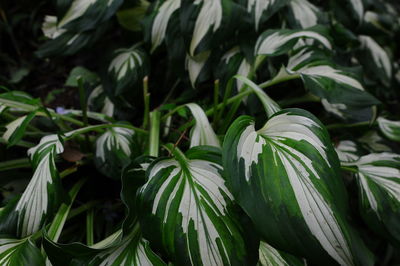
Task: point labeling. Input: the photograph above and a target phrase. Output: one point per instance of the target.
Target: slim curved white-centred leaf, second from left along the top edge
(161, 20)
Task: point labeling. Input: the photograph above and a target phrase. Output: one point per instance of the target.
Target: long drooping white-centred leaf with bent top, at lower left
(42, 195)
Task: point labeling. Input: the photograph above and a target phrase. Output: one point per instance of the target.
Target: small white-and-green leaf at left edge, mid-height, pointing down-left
(16, 129)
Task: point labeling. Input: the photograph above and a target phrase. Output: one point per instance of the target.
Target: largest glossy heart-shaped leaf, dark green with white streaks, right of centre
(286, 178)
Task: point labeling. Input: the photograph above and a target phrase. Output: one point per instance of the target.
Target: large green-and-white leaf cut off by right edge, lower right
(378, 176)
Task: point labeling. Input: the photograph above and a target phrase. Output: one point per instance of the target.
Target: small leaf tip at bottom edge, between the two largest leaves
(270, 256)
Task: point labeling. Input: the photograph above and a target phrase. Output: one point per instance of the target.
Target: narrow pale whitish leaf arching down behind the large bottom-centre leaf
(202, 132)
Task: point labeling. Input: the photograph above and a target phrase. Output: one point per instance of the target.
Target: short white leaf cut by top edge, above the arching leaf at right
(304, 13)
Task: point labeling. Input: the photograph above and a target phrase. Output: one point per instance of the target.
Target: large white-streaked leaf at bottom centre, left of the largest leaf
(187, 211)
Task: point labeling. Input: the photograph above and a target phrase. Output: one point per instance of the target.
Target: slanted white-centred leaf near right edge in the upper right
(377, 57)
